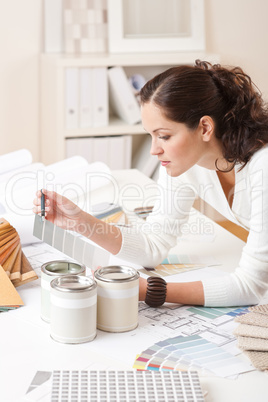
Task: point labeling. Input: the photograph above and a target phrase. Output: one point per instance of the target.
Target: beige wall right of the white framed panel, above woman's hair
(238, 31)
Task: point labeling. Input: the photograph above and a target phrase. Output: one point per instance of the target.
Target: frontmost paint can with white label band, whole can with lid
(73, 314)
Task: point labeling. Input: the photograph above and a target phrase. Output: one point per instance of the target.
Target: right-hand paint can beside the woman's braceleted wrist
(118, 298)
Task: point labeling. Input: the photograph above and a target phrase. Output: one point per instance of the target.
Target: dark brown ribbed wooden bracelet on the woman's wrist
(156, 291)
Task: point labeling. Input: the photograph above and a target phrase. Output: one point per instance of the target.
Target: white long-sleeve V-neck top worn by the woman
(149, 244)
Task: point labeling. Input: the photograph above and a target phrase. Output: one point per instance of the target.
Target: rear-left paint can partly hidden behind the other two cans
(50, 271)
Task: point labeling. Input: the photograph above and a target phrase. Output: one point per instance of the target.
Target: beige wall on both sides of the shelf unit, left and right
(236, 29)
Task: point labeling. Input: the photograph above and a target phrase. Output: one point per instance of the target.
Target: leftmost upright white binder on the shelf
(71, 98)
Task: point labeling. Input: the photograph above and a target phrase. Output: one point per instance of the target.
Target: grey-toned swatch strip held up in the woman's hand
(77, 247)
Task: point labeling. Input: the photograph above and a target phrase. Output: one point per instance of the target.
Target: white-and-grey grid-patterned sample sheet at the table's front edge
(116, 386)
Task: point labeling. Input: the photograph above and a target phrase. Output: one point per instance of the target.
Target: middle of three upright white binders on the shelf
(86, 98)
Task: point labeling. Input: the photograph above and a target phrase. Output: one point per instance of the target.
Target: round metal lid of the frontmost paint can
(73, 283)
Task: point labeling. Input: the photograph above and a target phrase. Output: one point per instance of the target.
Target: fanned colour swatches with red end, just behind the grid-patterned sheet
(192, 352)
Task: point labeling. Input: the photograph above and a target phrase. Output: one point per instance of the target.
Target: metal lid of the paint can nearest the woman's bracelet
(116, 274)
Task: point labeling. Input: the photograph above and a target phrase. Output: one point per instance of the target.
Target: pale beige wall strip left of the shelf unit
(20, 46)
